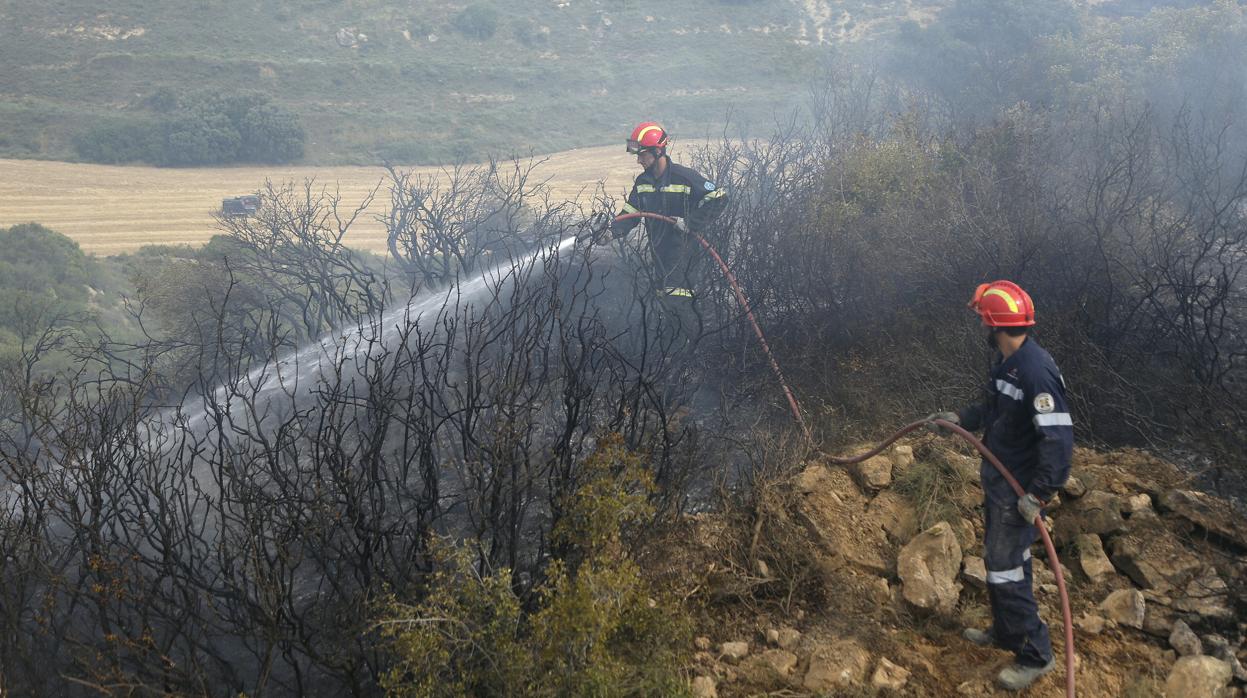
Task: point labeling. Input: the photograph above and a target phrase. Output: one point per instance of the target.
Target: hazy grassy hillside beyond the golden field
(420, 82)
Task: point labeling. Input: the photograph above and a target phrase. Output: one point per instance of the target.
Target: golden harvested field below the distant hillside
(110, 210)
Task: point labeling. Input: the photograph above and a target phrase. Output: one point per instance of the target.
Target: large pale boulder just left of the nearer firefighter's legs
(928, 568)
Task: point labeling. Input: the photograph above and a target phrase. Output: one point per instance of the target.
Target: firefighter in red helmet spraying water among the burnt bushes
(674, 191)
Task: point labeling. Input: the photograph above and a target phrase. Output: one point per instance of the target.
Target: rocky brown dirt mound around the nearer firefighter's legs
(825, 564)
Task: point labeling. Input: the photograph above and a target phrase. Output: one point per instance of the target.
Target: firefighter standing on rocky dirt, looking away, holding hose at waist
(1028, 427)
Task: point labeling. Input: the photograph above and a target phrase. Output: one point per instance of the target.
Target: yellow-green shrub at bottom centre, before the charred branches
(598, 629)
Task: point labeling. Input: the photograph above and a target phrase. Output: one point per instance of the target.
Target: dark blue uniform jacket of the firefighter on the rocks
(1027, 424)
